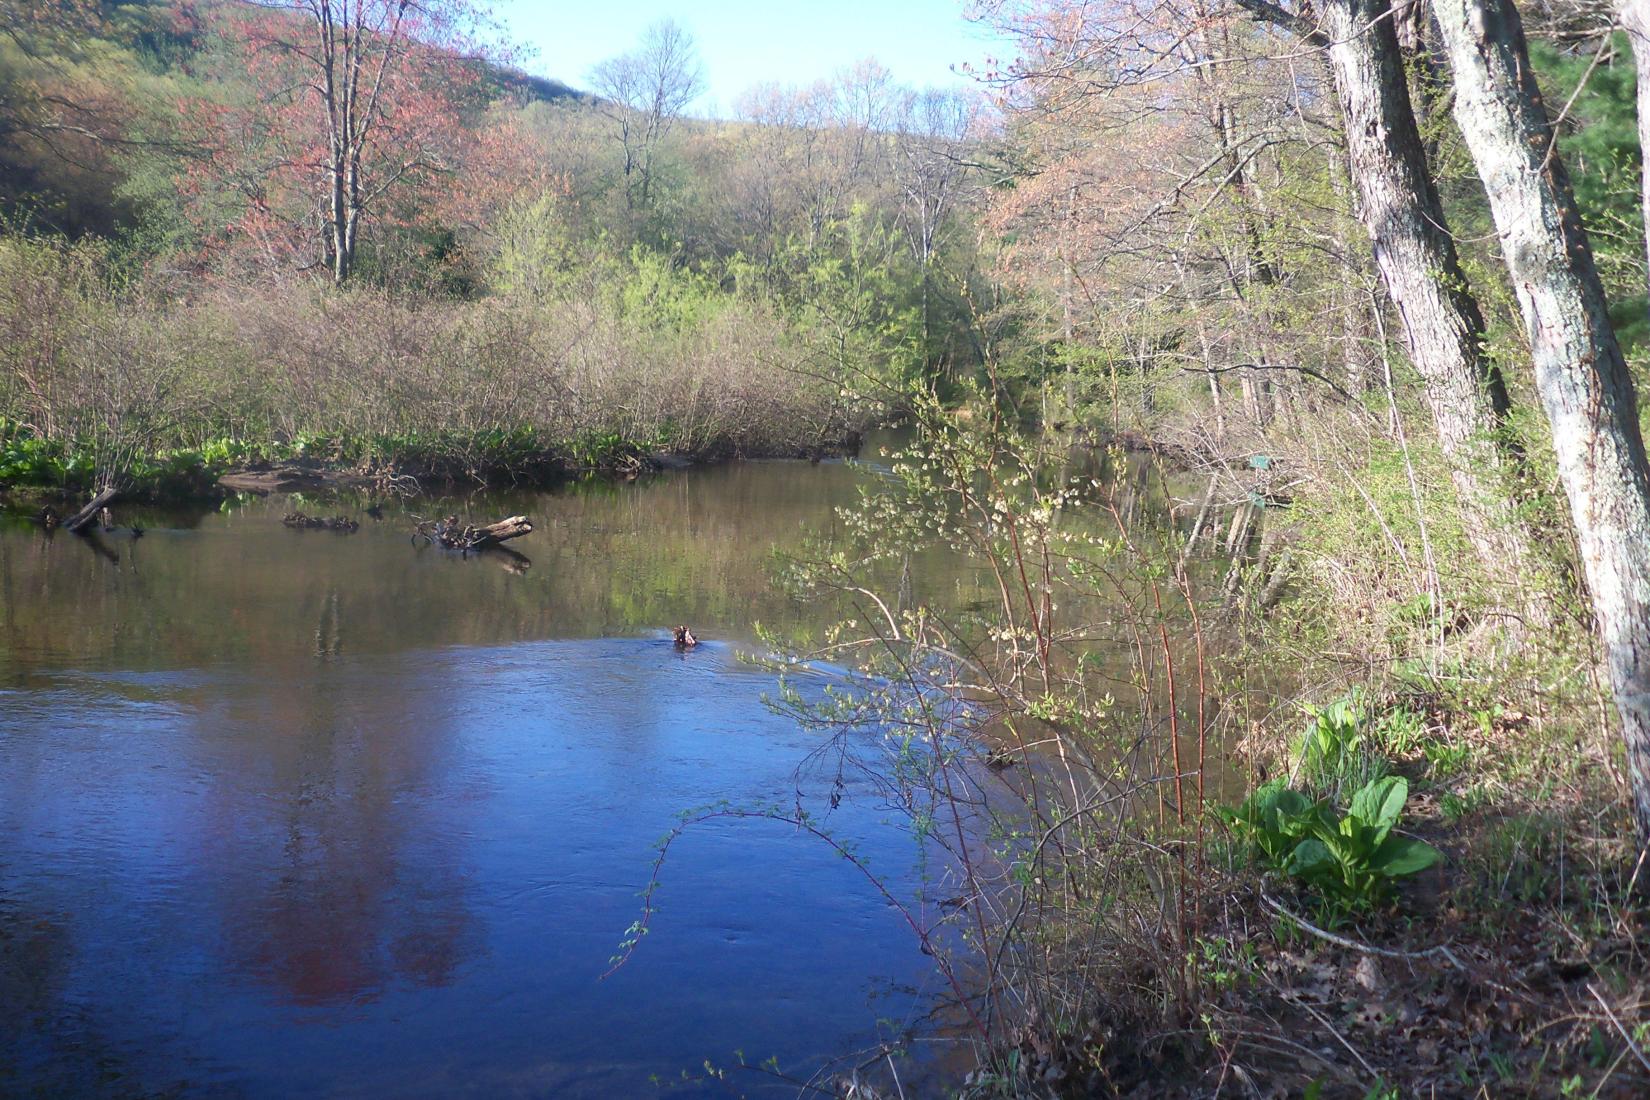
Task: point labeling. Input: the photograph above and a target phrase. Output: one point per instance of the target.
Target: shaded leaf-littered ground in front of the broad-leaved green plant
(1516, 967)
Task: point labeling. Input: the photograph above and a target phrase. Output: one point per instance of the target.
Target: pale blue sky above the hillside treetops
(745, 42)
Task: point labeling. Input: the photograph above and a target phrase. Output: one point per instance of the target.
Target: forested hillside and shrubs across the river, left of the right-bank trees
(626, 278)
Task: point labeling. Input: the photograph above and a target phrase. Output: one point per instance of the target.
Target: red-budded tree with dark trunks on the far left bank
(356, 101)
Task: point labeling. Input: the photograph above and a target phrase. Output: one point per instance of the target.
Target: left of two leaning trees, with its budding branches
(1243, 133)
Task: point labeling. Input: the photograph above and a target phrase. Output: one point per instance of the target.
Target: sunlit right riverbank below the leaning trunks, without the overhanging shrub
(1339, 571)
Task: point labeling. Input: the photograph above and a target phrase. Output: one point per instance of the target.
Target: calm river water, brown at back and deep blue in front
(290, 812)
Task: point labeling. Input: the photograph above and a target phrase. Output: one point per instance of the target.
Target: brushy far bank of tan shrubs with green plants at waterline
(159, 385)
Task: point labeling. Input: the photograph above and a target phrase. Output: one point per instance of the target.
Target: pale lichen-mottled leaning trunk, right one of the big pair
(1580, 370)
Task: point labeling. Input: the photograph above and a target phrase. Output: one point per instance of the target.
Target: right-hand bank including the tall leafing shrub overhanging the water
(1344, 844)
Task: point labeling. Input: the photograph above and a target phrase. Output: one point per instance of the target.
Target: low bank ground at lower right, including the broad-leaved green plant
(1511, 967)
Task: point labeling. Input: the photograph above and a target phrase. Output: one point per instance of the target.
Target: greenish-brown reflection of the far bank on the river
(694, 547)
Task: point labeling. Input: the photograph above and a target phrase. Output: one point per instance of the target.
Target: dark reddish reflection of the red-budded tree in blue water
(331, 853)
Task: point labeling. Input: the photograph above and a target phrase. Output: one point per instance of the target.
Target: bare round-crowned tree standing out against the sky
(644, 93)
